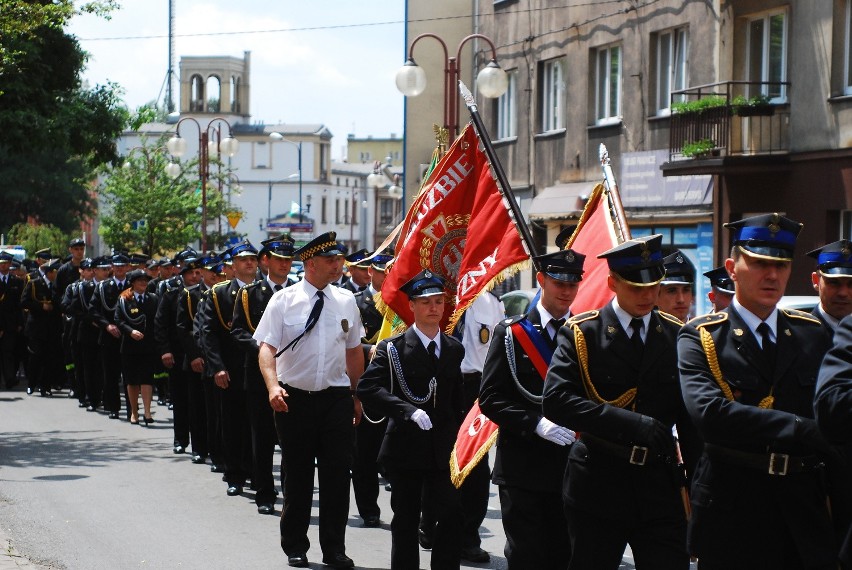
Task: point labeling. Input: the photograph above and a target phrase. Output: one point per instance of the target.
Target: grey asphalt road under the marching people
(78, 490)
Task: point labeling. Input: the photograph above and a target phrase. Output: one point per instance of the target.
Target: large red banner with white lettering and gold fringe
(458, 229)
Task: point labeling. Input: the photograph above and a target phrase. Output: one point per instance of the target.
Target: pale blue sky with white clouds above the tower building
(322, 61)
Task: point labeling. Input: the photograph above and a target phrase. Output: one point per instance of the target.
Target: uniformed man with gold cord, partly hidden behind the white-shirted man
(251, 303)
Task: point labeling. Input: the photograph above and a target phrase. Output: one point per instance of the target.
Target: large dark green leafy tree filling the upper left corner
(55, 132)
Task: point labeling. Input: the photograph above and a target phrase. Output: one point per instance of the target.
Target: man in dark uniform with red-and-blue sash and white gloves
(532, 451)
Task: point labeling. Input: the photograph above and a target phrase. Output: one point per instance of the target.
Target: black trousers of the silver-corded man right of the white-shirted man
(407, 489)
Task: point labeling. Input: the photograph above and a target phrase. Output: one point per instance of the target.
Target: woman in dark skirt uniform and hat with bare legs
(134, 316)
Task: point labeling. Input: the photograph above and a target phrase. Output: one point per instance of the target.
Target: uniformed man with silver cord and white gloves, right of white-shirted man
(415, 380)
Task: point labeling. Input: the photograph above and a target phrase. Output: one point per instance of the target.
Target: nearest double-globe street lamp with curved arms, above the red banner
(491, 80)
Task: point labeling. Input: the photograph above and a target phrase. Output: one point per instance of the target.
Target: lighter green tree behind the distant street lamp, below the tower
(145, 209)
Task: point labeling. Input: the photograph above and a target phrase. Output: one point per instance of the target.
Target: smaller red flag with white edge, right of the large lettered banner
(595, 234)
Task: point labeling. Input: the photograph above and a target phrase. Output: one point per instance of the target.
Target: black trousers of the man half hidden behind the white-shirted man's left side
(261, 420)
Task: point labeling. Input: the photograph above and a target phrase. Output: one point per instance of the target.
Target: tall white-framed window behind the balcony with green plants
(767, 55)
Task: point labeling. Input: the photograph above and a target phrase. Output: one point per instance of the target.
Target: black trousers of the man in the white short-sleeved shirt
(316, 429)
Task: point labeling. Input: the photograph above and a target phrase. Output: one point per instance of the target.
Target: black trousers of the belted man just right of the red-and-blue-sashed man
(599, 543)
